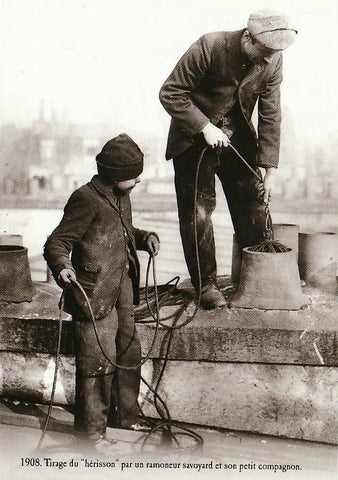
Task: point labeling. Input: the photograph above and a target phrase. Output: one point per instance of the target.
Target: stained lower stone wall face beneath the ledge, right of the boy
(282, 400)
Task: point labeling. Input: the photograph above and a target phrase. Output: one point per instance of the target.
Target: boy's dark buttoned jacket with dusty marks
(97, 230)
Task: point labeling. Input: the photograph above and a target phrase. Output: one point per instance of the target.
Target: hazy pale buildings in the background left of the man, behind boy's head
(51, 158)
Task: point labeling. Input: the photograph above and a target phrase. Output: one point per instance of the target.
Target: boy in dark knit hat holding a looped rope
(97, 230)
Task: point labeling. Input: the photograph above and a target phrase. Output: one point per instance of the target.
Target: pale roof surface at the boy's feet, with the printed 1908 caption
(225, 454)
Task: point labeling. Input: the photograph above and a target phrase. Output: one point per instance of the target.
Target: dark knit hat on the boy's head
(121, 158)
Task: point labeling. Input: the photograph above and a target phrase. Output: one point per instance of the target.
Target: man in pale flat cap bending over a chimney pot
(211, 95)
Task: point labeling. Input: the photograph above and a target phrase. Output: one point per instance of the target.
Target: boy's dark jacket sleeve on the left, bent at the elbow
(78, 215)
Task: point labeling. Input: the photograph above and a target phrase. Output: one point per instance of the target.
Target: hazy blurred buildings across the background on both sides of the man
(49, 159)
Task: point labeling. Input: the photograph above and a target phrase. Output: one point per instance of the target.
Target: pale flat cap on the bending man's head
(272, 29)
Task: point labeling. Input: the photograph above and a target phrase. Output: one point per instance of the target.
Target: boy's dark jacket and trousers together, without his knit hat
(97, 230)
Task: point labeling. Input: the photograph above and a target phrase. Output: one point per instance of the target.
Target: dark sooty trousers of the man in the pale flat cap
(243, 194)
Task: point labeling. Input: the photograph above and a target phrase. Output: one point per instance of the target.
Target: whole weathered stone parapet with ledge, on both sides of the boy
(271, 372)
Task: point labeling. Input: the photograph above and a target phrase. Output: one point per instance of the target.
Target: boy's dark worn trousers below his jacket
(98, 383)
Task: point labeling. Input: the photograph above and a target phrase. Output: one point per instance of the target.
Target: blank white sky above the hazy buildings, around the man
(105, 60)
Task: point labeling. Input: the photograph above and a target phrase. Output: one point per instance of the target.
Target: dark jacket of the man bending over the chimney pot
(204, 86)
